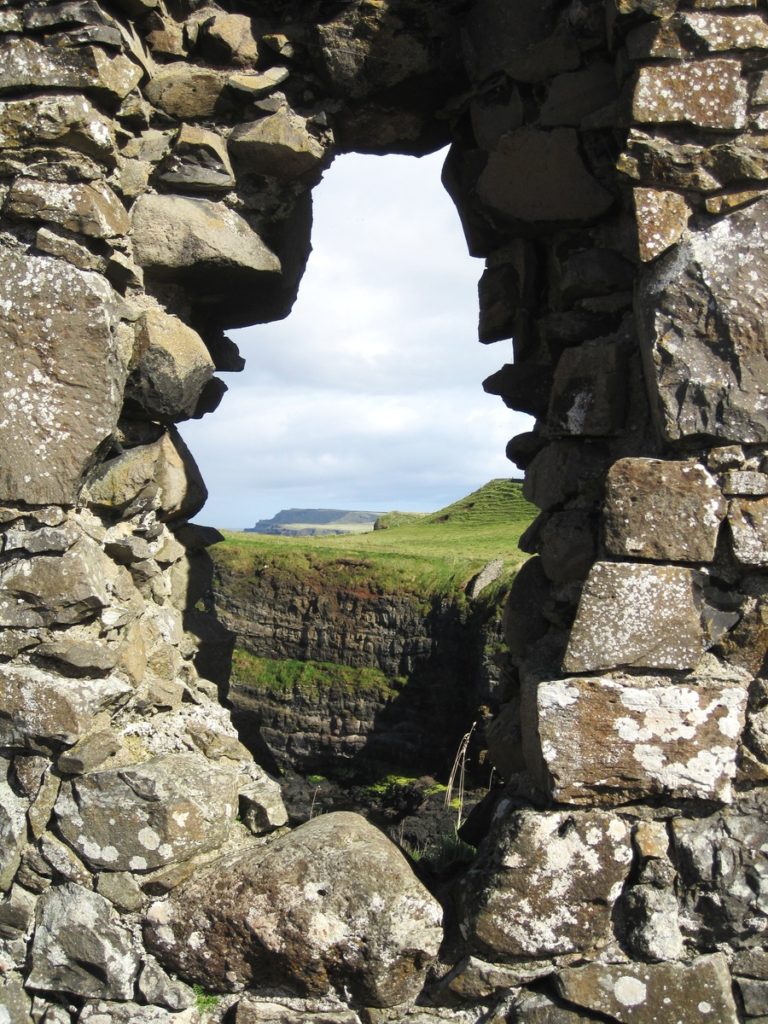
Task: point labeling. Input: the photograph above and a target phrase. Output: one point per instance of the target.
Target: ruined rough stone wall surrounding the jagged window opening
(609, 160)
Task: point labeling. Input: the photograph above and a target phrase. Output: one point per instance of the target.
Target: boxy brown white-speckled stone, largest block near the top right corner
(706, 94)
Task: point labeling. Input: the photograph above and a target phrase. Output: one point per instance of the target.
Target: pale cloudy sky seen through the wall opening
(370, 395)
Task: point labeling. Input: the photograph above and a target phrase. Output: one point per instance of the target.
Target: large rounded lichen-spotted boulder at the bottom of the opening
(332, 901)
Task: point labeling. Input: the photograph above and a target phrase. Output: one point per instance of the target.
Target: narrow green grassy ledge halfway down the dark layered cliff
(289, 676)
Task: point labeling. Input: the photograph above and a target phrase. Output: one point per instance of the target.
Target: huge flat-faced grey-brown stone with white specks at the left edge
(64, 376)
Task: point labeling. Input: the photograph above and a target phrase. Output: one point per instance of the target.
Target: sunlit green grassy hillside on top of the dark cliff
(437, 553)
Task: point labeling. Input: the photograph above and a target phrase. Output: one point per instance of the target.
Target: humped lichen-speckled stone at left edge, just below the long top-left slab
(58, 119)
